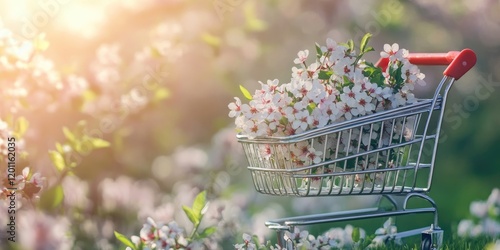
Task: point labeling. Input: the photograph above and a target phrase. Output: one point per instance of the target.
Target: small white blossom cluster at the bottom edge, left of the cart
(163, 236)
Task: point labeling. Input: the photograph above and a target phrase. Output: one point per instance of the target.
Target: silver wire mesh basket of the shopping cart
(388, 152)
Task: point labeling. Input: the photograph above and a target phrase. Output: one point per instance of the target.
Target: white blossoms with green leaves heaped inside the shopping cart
(337, 87)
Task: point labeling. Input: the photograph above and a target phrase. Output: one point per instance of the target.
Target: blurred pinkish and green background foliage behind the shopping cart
(199, 52)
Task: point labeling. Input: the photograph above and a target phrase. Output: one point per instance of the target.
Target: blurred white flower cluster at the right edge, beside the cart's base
(486, 218)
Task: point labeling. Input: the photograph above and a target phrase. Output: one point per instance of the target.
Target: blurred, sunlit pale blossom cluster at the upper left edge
(30, 79)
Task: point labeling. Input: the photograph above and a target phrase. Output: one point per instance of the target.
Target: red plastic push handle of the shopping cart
(459, 62)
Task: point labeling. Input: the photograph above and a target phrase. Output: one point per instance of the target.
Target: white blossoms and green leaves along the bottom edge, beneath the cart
(161, 235)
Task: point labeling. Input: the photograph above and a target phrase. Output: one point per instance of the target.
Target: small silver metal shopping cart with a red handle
(396, 162)
